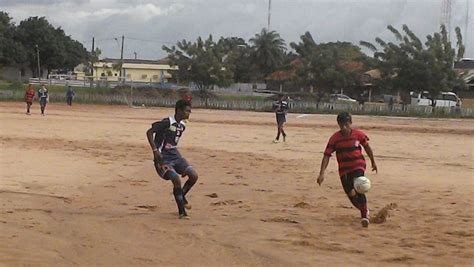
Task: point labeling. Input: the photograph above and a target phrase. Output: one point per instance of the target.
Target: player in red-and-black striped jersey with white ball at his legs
(348, 145)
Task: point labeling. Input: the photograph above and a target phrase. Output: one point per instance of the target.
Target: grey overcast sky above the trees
(148, 24)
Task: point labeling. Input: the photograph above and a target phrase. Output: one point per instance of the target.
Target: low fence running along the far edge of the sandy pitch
(257, 105)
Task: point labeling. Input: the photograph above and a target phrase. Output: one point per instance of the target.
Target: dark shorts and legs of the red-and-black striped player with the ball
(358, 200)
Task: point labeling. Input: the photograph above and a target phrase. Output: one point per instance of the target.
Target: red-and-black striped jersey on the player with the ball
(348, 150)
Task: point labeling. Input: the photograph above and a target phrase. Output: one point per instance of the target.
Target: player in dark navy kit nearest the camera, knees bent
(163, 137)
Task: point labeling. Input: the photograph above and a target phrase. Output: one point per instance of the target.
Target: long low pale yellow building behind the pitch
(138, 70)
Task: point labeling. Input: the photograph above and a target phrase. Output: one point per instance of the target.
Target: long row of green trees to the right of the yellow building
(404, 65)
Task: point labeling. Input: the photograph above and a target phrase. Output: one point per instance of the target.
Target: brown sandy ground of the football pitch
(78, 187)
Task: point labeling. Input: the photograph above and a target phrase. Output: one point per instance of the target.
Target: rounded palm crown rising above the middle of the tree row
(268, 51)
